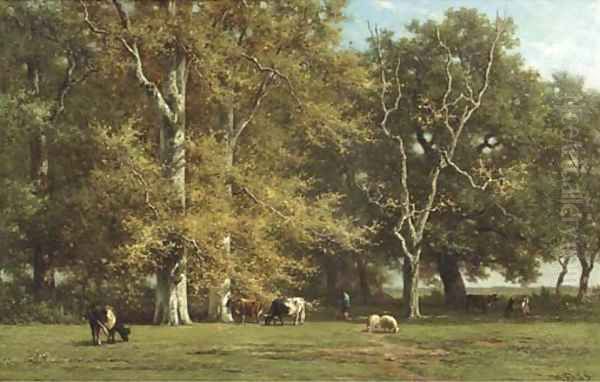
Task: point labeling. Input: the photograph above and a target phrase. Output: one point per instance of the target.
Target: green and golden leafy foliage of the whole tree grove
(294, 197)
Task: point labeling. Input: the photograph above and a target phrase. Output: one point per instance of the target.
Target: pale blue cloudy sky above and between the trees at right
(555, 35)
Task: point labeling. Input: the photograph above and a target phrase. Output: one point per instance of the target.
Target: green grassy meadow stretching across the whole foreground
(476, 348)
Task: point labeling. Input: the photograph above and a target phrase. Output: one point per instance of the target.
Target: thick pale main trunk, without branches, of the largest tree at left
(171, 304)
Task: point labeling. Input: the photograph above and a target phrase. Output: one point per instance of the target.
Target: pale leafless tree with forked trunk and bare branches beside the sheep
(446, 114)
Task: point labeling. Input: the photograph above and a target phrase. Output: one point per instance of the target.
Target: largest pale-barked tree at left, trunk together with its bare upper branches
(171, 305)
